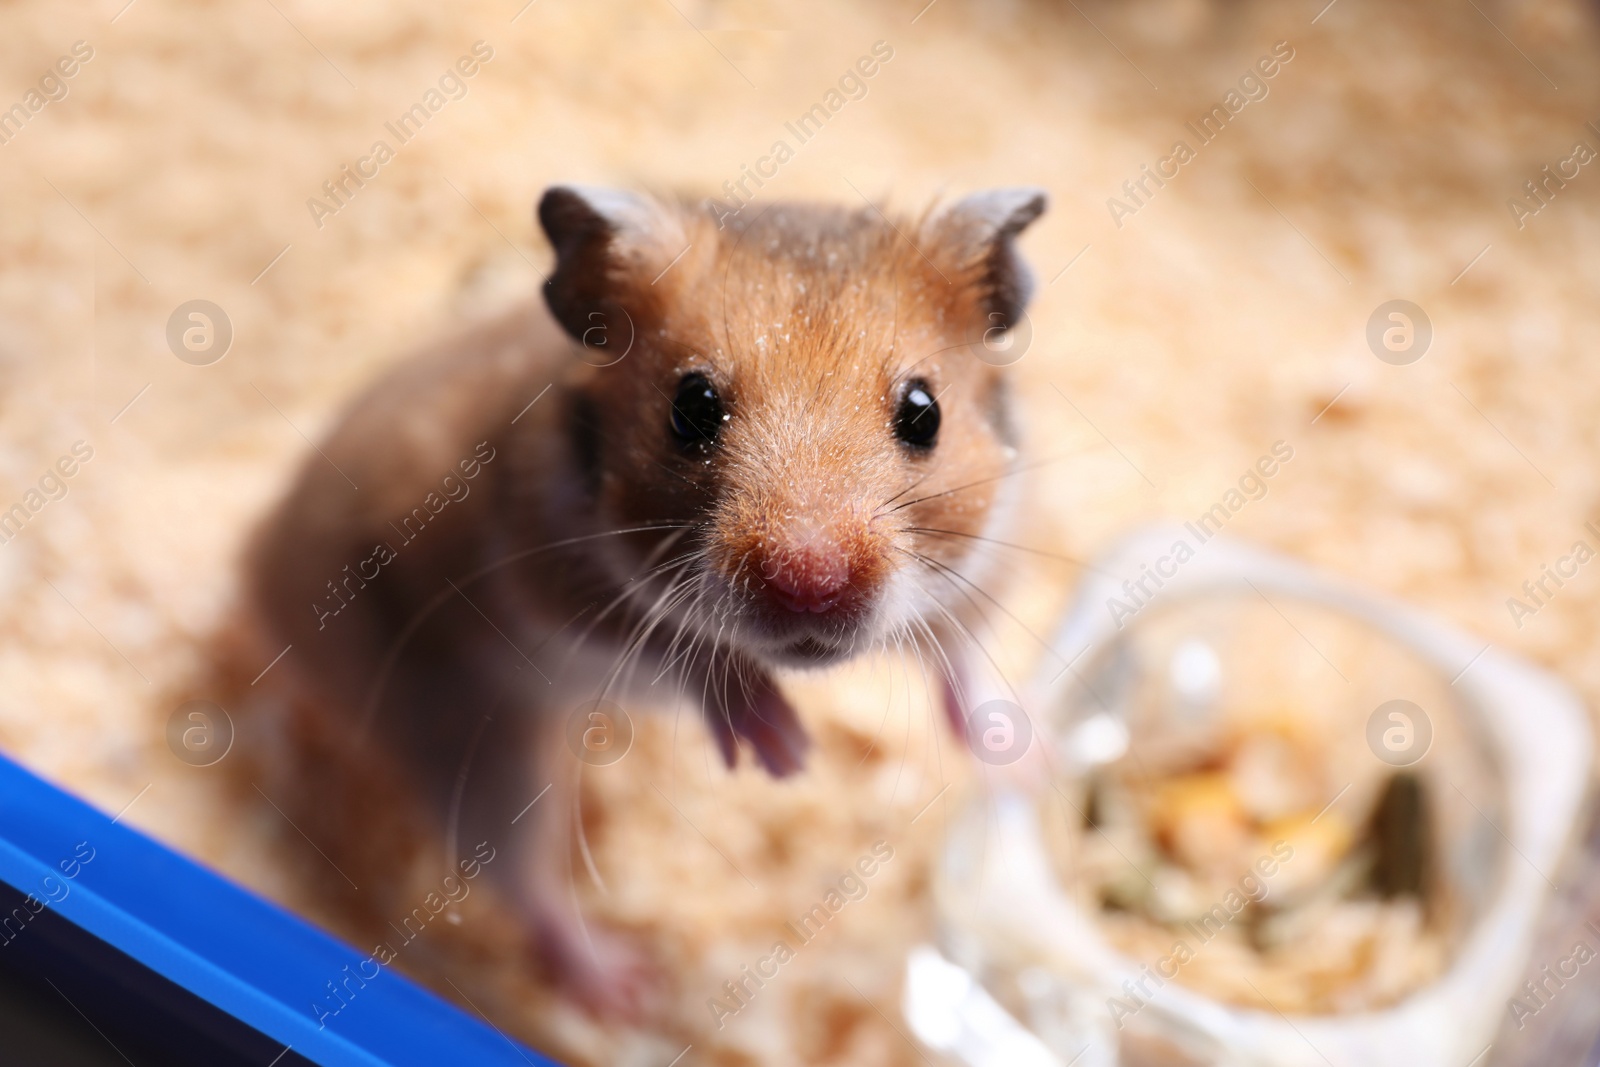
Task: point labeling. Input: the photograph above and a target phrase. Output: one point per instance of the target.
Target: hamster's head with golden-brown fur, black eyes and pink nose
(807, 401)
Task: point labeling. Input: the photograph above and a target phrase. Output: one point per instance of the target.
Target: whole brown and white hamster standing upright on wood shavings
(721, 450)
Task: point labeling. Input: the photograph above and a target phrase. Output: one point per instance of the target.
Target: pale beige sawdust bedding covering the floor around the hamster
(1170, 351)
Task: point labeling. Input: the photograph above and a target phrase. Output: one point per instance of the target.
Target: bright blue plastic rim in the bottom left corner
(250, 959)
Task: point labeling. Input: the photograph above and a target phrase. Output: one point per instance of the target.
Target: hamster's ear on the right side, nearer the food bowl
(978, 238)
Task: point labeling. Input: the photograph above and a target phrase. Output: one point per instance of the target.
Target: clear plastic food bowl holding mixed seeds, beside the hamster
(1287, 823)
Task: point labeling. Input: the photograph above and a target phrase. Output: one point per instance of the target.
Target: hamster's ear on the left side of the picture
(606, 244)
